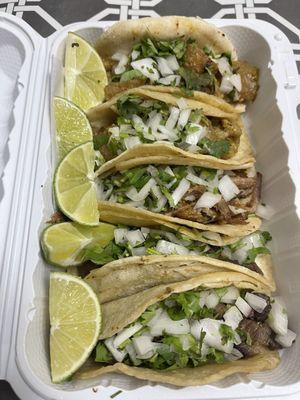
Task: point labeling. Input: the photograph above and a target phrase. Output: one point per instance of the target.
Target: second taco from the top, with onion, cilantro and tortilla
(145, 125)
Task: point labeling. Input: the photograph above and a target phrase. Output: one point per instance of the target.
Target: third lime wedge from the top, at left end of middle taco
(74, 185)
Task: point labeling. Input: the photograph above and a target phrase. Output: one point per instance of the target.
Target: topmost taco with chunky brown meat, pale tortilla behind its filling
(175, 51)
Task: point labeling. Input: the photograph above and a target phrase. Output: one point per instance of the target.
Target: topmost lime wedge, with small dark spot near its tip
(85, 75)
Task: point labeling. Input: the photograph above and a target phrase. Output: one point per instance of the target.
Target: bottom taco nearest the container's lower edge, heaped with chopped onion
(188, 331)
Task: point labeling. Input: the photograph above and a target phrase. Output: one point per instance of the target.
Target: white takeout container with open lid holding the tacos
(33, 70)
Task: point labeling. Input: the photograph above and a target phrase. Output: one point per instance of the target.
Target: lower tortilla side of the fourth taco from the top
(144, 272)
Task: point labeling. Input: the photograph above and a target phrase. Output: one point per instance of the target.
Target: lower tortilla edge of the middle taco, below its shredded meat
(218, 234)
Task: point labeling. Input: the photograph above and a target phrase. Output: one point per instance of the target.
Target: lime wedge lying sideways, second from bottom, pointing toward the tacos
(64, 244)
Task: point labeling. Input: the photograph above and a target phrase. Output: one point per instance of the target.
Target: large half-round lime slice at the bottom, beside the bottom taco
(75, 322)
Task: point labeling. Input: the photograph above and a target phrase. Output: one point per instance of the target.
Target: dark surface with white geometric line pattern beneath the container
(46, 16)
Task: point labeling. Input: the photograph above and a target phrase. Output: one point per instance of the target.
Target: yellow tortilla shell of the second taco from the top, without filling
(167, 153)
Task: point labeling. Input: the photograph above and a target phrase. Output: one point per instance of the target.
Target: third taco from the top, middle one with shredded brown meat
(177, 196)
